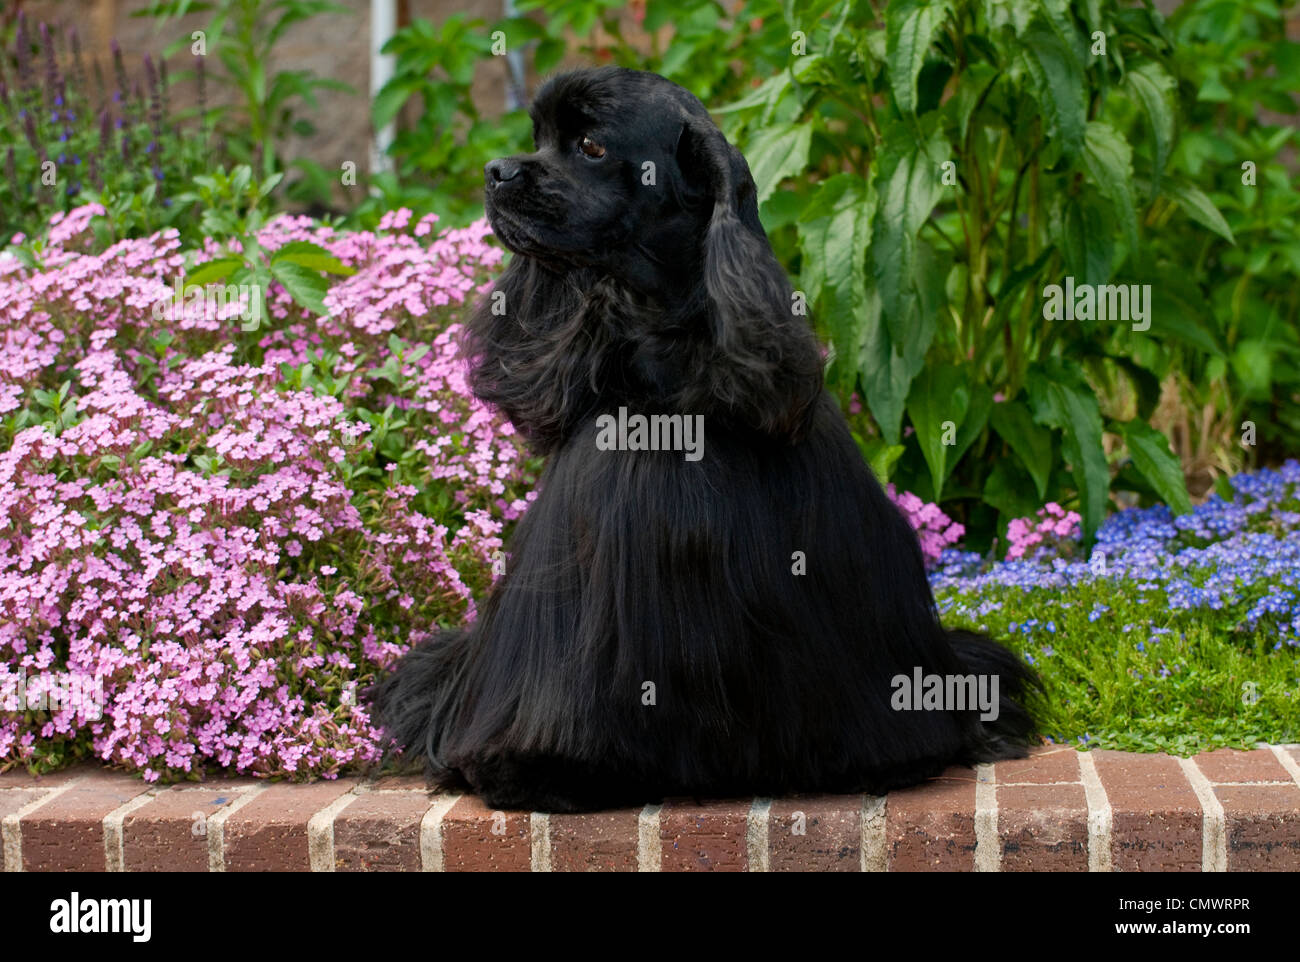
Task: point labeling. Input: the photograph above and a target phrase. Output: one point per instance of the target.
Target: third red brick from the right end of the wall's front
(1043, 829)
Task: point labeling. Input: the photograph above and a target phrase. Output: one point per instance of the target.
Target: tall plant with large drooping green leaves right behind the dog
(941, 167)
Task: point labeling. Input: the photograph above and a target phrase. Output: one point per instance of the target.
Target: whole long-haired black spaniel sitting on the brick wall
(638, 567)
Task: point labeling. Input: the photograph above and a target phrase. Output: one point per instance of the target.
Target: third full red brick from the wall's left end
(270, 834)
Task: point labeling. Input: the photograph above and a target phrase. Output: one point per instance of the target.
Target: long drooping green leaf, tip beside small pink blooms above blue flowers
(1060, 398)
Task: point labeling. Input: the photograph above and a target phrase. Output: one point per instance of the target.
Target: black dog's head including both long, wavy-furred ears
(643, 275)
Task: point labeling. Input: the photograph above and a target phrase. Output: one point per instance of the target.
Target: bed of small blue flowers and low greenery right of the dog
(1175, 634)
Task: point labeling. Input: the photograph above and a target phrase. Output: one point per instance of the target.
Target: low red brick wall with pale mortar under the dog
(1060, 811)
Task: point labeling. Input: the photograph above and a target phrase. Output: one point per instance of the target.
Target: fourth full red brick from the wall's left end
(380, 833)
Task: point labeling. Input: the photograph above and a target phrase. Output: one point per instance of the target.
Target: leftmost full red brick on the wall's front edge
(67, 834)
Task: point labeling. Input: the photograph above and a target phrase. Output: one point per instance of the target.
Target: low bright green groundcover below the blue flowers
(1139, 678)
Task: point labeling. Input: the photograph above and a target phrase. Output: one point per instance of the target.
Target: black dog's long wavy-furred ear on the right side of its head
(765, 367)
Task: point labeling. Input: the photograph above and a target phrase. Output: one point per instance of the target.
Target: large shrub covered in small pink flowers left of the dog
(227, 531)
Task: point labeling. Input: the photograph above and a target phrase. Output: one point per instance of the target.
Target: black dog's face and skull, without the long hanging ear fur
(627, 172)
